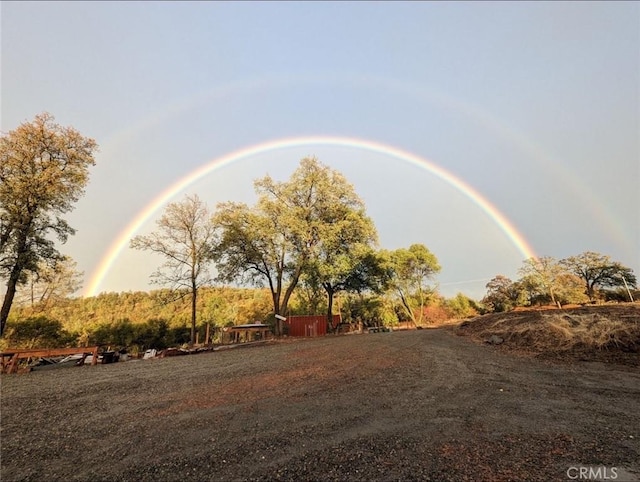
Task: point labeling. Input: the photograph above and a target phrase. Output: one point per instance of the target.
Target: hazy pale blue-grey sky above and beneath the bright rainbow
(536, 106)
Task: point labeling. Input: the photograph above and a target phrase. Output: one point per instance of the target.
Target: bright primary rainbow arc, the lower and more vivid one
(122, 240)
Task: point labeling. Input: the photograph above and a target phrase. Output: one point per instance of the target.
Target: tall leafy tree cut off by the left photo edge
(44, 169)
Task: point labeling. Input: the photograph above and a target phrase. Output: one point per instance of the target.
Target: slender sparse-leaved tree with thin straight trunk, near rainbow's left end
(185, 238)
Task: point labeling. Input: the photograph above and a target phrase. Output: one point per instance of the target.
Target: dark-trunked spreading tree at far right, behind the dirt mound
(598, 271)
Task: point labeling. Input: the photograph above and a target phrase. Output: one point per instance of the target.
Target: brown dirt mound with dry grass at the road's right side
(607, 333)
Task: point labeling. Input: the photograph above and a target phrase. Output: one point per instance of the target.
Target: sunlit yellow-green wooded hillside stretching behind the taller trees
(159, 318)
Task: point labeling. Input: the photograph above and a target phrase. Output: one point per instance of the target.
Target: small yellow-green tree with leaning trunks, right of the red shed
(411, 270)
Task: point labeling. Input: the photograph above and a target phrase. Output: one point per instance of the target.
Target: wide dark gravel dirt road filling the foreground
(420, 405)
